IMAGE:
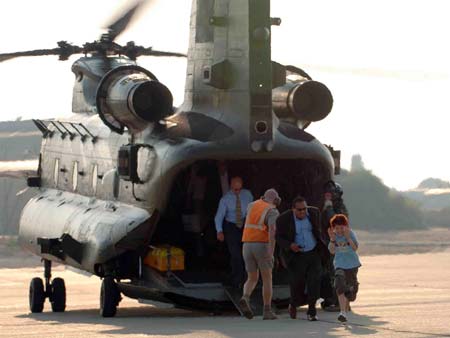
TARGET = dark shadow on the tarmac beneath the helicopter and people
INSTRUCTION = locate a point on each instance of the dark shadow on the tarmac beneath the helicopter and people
(169, 322)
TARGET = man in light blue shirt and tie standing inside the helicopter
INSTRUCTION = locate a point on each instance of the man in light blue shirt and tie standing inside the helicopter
(229, 220)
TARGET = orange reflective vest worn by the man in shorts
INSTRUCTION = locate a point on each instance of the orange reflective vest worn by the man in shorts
(255, 229)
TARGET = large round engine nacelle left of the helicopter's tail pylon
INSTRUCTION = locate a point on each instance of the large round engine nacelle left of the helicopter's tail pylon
(130, 96)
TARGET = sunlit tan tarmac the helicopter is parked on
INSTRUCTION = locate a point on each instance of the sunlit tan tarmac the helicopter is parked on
(400, 296)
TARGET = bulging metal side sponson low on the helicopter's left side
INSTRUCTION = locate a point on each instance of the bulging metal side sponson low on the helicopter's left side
(96, 224)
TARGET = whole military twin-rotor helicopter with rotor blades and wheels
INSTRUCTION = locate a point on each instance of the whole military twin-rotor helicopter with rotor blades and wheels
(112, 179)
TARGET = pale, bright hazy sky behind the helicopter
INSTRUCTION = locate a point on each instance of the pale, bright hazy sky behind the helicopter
(385, 61)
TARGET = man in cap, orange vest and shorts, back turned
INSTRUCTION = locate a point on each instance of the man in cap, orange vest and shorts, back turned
(259, 244)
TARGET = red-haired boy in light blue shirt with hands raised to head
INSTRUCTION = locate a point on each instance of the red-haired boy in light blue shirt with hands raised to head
(343, 245)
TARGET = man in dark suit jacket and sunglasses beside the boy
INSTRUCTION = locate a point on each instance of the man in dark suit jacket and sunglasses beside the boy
(299, 237)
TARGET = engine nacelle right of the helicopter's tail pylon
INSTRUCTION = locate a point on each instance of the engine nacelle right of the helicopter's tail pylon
(306, 101)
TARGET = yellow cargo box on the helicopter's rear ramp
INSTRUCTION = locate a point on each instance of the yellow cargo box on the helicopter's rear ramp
(165, 258)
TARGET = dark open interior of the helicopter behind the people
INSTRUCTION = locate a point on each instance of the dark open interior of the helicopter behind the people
(188, 221)
